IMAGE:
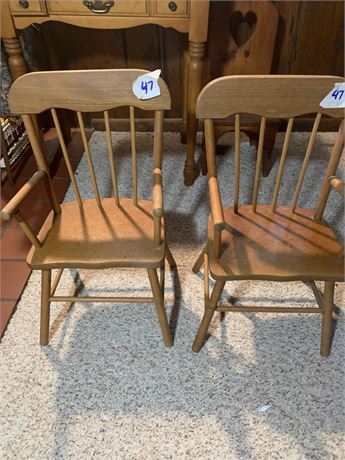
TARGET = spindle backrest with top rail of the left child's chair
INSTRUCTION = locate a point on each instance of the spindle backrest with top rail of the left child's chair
(87, 91)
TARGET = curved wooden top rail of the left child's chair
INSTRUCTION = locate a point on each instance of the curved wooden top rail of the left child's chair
(82, 90)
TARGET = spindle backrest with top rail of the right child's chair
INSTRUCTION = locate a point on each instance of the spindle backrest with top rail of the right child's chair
(270, 97)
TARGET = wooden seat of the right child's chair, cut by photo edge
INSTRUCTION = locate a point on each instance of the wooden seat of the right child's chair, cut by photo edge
(281, 245)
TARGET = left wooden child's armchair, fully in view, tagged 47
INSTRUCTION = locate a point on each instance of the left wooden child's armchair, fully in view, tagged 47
(101, 232)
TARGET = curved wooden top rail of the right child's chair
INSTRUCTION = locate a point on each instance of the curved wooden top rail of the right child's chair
(271, 96)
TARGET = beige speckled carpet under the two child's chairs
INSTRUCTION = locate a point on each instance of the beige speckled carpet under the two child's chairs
(107, 388)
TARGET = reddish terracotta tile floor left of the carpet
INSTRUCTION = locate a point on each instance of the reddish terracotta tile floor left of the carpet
(13, 243)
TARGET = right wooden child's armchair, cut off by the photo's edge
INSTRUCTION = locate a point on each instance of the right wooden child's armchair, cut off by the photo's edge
(270, 241)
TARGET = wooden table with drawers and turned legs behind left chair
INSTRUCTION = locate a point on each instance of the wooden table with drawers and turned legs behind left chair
(185, 16)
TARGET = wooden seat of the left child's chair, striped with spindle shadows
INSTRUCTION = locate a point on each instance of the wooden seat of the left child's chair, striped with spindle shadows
(98, 237)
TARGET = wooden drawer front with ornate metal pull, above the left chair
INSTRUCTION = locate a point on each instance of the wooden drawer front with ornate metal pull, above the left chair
(98, 7)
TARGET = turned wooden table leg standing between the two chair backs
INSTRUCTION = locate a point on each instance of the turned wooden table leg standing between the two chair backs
(196, 54)
